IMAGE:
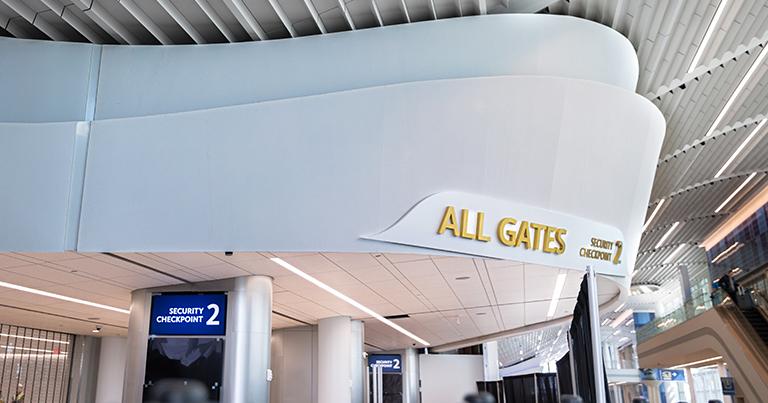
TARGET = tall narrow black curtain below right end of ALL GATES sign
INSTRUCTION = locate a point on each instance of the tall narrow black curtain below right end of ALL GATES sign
(581, 336)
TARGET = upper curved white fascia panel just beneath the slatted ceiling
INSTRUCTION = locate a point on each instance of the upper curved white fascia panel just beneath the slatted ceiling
(147, 80)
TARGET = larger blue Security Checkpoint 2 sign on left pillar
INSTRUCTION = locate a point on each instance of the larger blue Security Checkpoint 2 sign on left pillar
(188, 315)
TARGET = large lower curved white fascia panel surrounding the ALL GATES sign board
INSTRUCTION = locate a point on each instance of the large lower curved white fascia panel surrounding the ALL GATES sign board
(223, 179)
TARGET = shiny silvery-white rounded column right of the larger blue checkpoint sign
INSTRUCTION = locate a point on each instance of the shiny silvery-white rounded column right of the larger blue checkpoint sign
(249, 333)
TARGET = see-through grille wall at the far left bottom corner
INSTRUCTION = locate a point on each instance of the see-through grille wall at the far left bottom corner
(34, 365)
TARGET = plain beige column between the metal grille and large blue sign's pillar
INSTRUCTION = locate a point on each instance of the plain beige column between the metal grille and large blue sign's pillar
(112, 358)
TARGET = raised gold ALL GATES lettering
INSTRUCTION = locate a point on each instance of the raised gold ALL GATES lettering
(510, 232)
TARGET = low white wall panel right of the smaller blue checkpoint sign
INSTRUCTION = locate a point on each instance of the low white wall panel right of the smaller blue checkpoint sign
(447, 378)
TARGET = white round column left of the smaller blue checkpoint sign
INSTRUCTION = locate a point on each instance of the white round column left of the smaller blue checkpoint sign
(334, 381)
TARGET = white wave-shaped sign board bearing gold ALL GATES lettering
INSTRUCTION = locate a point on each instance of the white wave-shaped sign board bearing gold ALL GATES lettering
(485, 226)
